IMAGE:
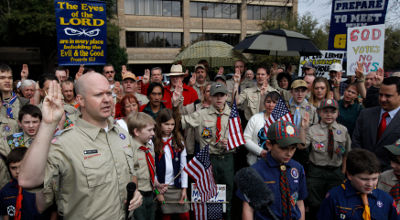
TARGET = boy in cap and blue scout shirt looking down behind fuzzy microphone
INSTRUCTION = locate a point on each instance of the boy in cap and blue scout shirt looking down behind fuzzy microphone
(283, 175)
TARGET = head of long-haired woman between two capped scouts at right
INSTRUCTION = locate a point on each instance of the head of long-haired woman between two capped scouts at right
(320, 90)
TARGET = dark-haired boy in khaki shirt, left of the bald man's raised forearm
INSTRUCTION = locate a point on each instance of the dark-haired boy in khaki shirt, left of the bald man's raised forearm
(29, 118)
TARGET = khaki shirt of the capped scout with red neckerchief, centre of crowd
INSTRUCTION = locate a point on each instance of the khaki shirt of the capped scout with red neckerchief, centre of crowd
(205, 123)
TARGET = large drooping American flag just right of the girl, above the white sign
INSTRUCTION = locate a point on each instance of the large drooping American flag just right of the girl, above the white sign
(200, 169)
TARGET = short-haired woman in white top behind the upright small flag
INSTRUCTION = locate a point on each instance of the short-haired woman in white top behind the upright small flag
(254, 133)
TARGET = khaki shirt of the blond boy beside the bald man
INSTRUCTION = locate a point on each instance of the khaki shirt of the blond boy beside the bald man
(141, 167)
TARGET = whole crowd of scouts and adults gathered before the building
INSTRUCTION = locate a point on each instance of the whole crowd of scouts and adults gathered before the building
(71, 144)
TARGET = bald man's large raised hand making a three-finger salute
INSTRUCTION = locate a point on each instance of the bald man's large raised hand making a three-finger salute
(53, 108)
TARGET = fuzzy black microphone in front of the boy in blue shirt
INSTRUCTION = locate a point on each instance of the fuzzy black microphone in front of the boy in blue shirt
(258, 194)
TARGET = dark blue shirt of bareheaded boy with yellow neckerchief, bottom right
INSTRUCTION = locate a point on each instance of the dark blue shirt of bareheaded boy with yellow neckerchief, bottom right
(344, 202)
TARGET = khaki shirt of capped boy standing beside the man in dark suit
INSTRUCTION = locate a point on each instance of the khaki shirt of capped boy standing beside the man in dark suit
(317, 139)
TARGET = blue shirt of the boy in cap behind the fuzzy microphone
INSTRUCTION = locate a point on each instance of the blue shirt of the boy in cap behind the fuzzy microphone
(270, 172)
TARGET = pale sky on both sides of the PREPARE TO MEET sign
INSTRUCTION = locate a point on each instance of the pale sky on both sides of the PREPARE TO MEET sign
(321, 10)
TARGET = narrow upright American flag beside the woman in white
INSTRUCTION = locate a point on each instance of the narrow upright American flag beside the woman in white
(235, 136)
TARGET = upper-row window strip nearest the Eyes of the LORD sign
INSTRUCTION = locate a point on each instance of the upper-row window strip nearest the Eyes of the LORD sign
(154, 7)
